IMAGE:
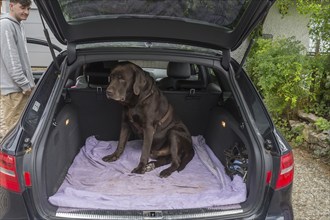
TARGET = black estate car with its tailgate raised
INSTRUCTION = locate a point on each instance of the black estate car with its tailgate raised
(51, 163)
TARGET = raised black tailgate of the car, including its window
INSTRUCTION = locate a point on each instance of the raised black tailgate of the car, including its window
(217, 24)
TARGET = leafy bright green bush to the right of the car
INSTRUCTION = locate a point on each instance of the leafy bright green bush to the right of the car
(281, 73)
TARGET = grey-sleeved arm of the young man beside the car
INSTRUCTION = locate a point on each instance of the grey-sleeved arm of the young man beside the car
(10, 55)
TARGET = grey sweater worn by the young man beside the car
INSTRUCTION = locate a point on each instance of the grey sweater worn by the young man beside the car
(15, 70)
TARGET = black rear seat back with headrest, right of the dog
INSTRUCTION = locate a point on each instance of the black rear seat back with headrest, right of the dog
(191, 96)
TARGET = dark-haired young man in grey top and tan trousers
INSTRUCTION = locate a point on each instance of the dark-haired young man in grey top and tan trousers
(16, 79)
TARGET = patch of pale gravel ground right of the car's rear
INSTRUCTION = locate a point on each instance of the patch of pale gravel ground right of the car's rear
(311, 187)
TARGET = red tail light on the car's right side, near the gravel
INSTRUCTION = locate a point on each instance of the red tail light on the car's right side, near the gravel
(286, 172)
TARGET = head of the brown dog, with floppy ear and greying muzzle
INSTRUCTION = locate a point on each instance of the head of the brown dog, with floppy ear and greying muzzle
(127, 79)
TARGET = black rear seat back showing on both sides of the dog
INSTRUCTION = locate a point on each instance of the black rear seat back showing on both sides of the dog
(101, 116)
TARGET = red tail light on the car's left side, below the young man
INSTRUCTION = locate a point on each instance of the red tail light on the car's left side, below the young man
(8, 174)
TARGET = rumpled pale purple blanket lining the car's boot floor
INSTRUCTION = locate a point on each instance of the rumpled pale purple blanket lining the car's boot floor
(93, 184)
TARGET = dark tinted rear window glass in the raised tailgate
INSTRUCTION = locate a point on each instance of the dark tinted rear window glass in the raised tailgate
(225, 13)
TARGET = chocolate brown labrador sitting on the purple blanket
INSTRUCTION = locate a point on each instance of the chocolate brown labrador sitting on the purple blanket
(148, 114)
